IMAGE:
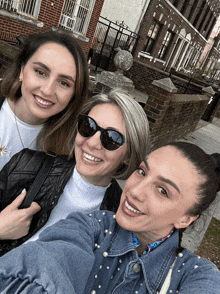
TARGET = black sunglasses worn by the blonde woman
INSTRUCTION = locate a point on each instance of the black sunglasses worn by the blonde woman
(110, 138)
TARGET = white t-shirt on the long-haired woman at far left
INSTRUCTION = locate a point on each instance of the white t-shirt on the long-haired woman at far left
(10, 142)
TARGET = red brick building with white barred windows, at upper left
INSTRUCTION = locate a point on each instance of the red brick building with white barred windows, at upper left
(29, 16)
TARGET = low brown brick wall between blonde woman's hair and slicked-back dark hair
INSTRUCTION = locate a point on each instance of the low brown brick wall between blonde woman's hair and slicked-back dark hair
(171, 116)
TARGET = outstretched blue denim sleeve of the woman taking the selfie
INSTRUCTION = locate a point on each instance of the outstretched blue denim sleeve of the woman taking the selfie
(60, 262)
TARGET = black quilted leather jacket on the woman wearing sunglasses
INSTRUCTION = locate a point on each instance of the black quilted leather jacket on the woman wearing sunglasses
(20, 172)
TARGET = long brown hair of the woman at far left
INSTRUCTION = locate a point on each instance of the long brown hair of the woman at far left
(55, 133)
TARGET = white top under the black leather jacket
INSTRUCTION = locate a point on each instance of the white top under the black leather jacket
(78, 195)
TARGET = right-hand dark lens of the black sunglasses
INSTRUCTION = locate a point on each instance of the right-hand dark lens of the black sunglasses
(111, 140)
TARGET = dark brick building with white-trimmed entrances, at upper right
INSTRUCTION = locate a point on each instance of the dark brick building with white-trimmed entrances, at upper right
(174, 33)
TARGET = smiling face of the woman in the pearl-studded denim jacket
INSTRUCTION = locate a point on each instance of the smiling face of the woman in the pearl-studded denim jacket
(156, 197)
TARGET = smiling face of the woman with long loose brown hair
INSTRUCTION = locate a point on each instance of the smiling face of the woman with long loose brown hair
(48, 83)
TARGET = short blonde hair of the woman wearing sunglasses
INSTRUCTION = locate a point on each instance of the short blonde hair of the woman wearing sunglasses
(136, 125)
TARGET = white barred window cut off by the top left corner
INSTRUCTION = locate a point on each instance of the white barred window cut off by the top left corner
(25, 7)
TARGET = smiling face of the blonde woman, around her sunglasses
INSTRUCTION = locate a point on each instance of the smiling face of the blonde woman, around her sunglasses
(96, 164)
